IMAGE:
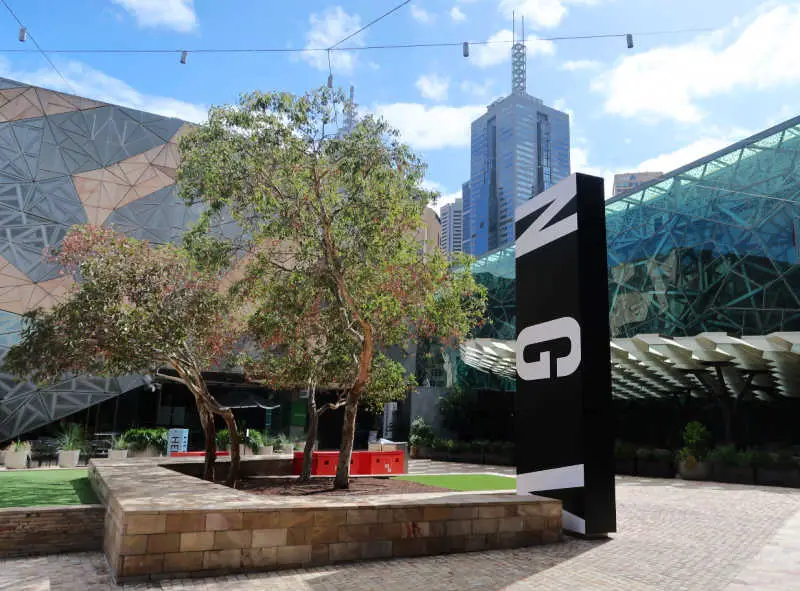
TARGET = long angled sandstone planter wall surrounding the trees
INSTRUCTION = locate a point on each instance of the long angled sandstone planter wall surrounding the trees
(161, 523)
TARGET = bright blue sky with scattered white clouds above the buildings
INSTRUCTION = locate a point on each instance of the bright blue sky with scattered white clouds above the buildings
(671, 99)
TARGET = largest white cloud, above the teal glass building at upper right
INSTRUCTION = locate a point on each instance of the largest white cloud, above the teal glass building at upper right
(669, 82)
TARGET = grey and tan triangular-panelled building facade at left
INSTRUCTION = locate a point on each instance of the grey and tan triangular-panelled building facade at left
(66, 160)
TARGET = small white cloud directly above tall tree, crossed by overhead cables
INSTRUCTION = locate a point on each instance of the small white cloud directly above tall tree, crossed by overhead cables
(328, 28)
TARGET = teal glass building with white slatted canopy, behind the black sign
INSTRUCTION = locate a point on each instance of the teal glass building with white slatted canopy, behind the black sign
(704, 278)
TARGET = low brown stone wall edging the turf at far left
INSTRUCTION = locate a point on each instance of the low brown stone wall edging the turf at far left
(51, 530)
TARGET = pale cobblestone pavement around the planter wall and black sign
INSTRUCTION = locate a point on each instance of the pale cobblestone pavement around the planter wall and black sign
(673, 535)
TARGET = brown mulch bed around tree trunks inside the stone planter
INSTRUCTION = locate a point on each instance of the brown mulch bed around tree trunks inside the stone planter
(324, 486)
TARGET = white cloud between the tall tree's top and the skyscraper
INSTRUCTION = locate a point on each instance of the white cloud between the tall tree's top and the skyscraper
(430, 128)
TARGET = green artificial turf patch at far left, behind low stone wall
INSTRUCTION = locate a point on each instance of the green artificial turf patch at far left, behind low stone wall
(29, 488)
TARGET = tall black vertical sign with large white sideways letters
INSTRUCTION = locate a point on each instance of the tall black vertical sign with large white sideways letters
(563, 399)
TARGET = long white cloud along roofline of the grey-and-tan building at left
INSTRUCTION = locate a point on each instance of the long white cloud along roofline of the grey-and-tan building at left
(86, 81)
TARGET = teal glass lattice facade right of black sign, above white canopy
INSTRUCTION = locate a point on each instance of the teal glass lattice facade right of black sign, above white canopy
(712, 246)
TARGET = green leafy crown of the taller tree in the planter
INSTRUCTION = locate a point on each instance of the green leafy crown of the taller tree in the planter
(334, 271)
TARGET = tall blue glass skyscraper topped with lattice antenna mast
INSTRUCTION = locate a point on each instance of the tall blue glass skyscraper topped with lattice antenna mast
(519, 148)
